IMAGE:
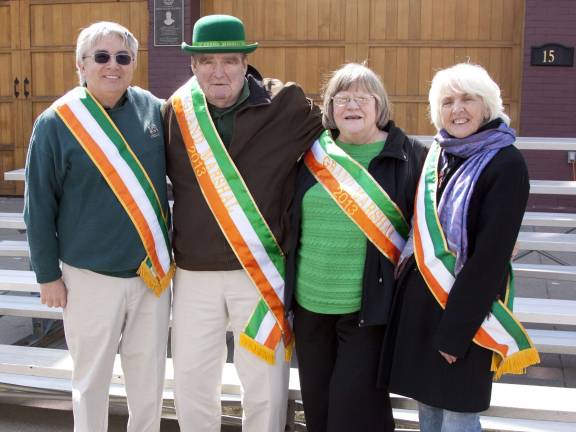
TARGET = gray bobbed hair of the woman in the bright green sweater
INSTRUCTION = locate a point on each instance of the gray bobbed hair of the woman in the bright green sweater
(355, 74)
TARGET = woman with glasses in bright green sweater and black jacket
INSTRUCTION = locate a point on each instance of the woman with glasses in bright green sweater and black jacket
(351, 217)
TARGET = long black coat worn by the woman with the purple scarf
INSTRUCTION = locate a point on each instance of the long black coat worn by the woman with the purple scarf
(411, 364)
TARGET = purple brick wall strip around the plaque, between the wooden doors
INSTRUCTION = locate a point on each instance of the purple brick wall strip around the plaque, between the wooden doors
(169, 67)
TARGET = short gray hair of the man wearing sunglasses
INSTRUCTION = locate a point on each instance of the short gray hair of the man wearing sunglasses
(94, 33)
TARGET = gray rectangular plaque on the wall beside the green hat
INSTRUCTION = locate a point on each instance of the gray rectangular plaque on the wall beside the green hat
(168, 22)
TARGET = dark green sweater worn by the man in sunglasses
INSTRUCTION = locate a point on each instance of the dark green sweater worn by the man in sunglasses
(70, 211)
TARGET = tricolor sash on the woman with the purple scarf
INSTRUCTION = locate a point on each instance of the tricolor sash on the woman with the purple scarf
(500, 332)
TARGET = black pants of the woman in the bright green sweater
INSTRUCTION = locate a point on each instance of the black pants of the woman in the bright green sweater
(338, 364)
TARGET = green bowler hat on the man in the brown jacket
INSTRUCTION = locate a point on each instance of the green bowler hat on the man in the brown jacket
(218, 34)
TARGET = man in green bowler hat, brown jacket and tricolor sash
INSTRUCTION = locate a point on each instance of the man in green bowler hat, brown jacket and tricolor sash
(232, 152)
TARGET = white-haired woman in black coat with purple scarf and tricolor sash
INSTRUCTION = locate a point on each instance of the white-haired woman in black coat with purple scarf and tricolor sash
(452, 329)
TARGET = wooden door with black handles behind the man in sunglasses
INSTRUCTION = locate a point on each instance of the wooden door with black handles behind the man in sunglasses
(45, 57)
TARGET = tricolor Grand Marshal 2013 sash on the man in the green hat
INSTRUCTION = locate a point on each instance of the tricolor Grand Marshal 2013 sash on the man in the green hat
(239, 219)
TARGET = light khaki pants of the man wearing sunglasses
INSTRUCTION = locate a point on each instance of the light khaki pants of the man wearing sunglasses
(103, 315)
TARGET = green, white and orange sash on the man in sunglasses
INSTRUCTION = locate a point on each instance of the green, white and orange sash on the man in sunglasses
(105, 145)
